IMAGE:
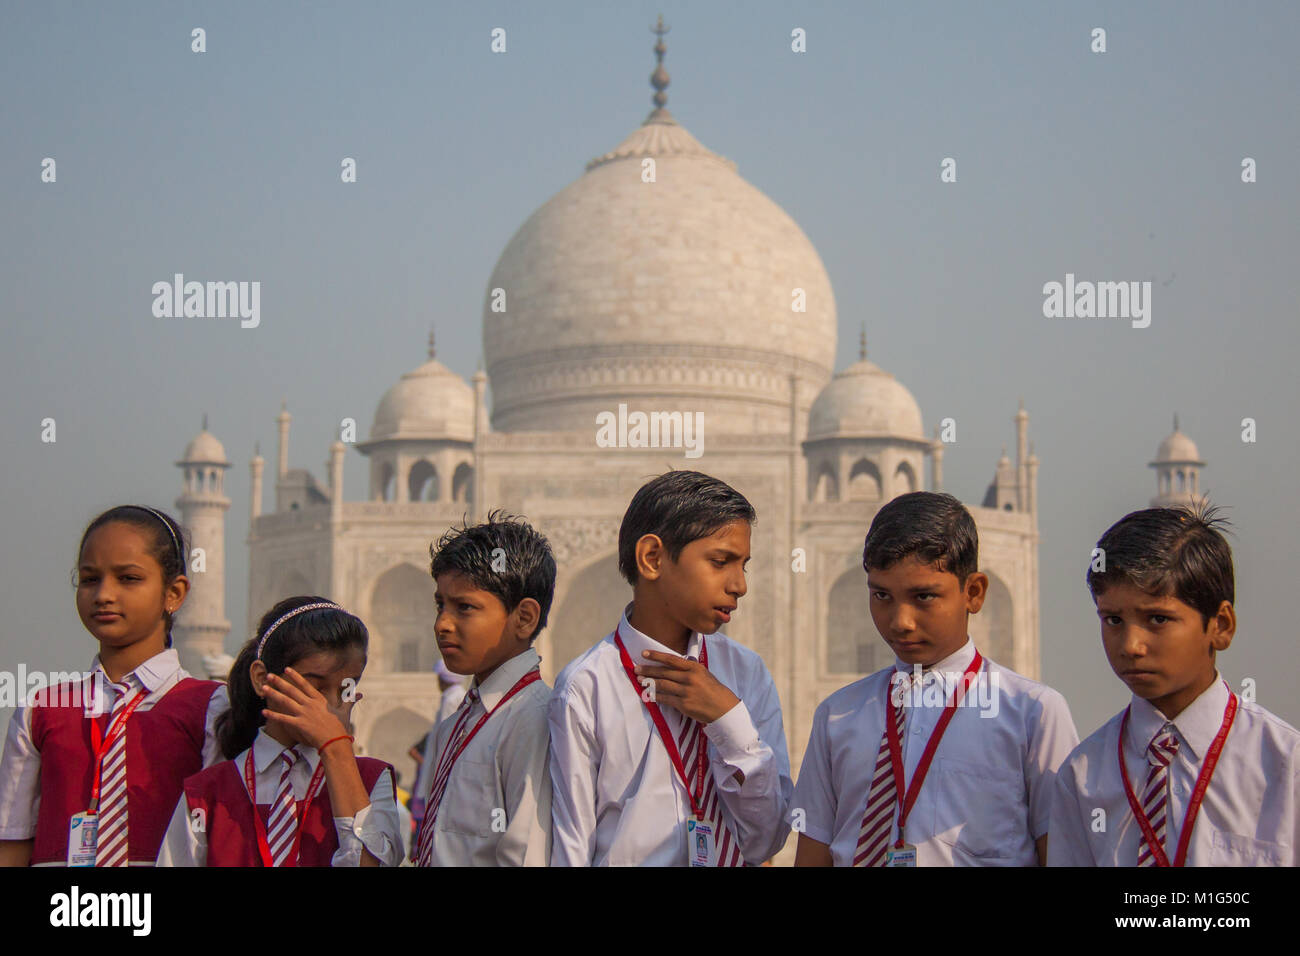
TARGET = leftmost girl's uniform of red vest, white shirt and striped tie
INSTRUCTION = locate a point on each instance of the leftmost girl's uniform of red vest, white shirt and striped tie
(49, 764)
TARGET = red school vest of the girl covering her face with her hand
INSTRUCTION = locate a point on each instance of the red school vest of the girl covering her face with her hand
(222, 794)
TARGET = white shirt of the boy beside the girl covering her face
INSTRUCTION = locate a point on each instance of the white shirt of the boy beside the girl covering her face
(497, 807)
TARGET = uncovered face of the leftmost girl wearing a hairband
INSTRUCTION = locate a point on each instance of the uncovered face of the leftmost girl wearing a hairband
(120, 591)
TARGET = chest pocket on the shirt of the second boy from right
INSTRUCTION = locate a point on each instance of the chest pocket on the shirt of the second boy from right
(981, 811)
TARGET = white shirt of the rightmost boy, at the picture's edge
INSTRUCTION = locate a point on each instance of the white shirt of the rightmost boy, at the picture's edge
(1250, 815)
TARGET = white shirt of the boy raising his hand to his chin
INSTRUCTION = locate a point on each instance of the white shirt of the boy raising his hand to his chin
(618, 799)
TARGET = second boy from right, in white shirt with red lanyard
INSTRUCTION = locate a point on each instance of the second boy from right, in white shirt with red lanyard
(944, 759)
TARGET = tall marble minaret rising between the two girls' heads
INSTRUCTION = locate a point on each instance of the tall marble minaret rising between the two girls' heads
(201, 626)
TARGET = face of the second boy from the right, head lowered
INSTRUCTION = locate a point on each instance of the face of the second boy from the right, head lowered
(922, 612)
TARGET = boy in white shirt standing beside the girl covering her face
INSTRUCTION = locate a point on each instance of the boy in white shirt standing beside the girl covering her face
(489, 797)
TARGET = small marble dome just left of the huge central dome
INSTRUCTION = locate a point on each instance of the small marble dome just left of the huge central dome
(428, 403)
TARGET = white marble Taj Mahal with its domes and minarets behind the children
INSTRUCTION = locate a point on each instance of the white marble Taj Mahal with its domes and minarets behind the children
(662, 282)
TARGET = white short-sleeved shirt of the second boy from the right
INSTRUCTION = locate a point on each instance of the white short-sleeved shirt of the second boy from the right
(987, 795)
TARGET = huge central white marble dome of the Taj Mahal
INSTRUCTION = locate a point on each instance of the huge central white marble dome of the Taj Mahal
(674, 295)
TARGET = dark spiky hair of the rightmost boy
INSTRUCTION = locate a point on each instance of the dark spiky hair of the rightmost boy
(1169, 551)
